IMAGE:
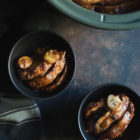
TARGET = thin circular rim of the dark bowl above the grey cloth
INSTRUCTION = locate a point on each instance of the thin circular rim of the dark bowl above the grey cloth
(9, 65)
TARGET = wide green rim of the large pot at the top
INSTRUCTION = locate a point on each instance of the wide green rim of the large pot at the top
(96, 19)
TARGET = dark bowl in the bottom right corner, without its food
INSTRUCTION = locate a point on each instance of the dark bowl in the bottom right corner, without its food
(132, 132)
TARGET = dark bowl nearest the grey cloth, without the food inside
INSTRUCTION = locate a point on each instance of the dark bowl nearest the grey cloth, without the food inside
(26, 46)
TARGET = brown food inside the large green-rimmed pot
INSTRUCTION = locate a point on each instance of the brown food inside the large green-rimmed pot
(110, 6)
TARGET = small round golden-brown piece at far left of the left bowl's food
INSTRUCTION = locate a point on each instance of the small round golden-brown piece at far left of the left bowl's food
(25, 62)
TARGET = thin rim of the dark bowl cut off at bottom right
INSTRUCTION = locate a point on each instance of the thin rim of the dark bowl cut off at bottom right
(92, 92)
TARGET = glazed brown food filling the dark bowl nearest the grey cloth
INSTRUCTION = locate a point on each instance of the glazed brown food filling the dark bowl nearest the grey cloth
(45, 70)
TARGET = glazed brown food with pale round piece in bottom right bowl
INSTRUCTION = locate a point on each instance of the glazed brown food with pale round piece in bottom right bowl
(109, 118)
